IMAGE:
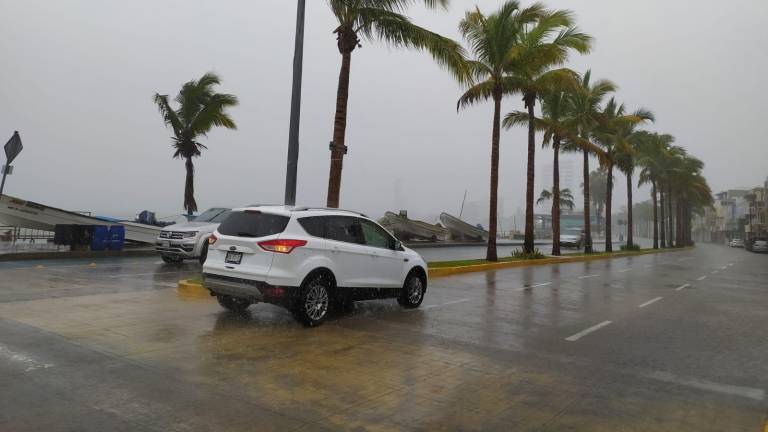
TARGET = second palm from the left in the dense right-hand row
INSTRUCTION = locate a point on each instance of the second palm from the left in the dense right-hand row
(544, 45)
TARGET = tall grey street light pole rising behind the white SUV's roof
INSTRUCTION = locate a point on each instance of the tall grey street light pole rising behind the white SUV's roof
(293, 134)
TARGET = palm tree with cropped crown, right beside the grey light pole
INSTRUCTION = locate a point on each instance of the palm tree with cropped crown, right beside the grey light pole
(379, 20)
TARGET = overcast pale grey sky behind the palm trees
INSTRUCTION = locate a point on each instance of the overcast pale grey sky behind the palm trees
(78, 75)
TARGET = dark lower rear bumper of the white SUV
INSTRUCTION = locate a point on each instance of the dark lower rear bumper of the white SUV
(255, 291)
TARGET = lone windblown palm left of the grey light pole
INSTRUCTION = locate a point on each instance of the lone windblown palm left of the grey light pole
(200, 109)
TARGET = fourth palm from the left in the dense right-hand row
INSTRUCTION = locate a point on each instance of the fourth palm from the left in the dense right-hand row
(586, 113)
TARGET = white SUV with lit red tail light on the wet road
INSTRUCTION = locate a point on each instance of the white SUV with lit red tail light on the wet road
(309, 261)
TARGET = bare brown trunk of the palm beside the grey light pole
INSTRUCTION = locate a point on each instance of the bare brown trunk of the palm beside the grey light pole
(339, 131)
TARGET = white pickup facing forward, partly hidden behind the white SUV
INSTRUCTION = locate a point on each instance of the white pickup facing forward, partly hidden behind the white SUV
(189, 240)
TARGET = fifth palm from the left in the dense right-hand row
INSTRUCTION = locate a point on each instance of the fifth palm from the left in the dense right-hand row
(612, 134)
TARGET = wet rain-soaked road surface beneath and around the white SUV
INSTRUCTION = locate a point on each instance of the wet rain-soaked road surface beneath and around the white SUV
(668, 342)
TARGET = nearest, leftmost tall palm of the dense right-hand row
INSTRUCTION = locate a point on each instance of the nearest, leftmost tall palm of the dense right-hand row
(494, 42)
